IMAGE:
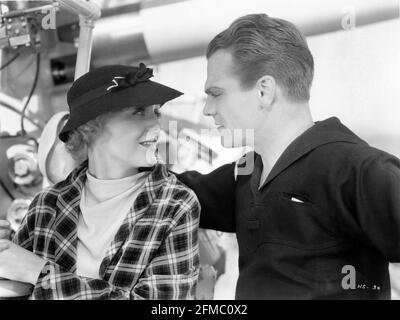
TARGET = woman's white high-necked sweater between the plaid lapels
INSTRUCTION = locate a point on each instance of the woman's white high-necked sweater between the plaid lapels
(104, 206)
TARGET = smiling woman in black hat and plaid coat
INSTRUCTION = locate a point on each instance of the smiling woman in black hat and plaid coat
(110, 230)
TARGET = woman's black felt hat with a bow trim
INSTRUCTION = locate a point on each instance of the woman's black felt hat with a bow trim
(112, 88)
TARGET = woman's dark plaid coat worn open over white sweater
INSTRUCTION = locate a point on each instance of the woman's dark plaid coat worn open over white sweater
(154, 254)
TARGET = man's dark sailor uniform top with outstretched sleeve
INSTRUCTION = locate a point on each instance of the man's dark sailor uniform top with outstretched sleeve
(324, 225)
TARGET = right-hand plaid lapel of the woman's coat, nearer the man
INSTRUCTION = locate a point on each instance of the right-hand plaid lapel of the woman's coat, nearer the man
(151, 189)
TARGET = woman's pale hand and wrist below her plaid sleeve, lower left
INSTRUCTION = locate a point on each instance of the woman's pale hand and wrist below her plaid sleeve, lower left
(19, 264)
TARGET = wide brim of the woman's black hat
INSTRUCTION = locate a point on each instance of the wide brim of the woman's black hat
(140, 95)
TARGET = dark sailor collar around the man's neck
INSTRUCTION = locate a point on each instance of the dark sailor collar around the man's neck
(321, 133)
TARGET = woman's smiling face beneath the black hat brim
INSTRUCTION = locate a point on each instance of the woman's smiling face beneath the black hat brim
(130, 137)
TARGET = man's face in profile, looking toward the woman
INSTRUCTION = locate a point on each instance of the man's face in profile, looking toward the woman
(233, 108)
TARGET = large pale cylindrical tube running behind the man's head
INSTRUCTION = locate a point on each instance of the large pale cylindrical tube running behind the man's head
(183, 29)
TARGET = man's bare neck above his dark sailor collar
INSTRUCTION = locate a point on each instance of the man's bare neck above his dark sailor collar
(273, 143)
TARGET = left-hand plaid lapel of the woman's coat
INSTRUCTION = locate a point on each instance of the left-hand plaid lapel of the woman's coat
(65, 228)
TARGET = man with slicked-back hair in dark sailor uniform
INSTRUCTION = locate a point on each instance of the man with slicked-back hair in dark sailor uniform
(319, 216)
